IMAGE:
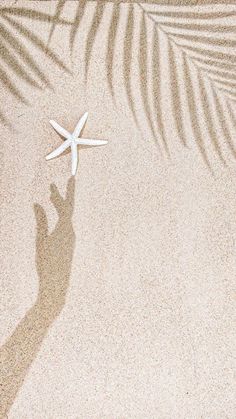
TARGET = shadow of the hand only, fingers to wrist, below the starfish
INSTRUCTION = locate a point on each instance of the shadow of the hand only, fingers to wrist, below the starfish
(54, 251)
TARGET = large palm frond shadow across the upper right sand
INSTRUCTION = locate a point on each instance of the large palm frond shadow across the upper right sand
(200, 64)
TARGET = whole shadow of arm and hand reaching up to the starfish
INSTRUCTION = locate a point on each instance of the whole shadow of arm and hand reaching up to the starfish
(54, 253)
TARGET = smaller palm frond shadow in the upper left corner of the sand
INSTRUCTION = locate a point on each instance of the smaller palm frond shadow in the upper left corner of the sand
(17, 60)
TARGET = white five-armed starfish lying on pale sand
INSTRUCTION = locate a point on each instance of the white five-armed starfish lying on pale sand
(72, 140)
